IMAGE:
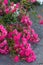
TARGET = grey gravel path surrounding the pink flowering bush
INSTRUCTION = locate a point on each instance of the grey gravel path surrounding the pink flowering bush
(6, 60)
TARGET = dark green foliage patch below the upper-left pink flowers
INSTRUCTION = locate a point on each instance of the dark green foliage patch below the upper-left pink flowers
(9, 18)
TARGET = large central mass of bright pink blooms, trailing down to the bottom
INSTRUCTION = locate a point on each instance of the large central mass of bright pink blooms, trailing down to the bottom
(21, 39)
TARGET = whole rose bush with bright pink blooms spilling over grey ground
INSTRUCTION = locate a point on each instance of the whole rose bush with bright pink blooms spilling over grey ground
(16, 38)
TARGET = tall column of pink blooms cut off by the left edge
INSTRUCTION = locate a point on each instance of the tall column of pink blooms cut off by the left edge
(3, 42)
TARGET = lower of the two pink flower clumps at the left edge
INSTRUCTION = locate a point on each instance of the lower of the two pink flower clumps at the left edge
(4, 47)
